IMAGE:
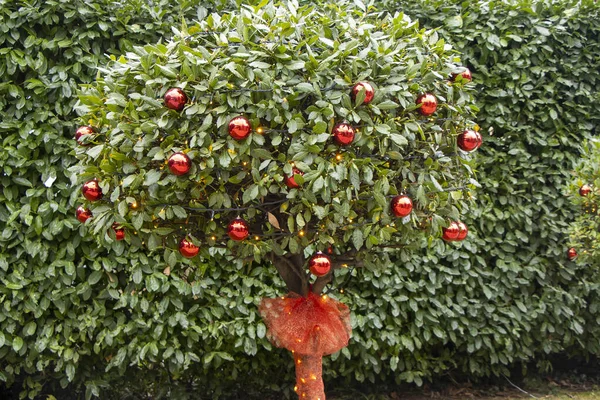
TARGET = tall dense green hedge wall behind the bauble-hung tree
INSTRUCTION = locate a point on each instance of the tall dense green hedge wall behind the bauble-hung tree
(507, 295)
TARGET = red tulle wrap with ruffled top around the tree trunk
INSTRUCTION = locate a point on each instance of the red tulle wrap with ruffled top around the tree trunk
(310, 327)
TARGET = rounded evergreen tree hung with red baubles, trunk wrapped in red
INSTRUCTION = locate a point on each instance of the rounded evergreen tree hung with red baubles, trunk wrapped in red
(317, 139)
